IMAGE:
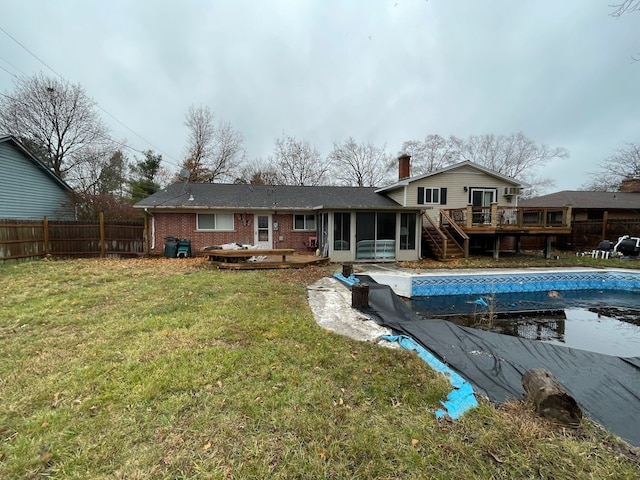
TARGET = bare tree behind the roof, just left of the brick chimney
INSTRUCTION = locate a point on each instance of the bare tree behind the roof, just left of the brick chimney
(359, 164)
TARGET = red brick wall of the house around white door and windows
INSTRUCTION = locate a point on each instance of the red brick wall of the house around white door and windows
(183, 225)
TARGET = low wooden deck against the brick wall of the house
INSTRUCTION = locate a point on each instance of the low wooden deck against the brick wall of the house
(268, 259)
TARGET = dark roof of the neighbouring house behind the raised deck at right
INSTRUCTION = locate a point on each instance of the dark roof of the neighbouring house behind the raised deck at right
(583, 199)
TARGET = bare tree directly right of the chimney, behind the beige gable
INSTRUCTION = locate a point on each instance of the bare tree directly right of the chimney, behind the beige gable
(433, 153)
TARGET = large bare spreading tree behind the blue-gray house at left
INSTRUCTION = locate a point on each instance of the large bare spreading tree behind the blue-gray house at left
(58, 121)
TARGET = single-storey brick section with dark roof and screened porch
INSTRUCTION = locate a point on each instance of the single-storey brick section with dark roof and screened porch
(343, 223)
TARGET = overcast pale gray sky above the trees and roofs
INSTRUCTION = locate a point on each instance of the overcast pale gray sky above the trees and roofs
(324, 70)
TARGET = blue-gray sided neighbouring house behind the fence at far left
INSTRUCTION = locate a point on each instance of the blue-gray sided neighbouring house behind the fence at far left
(28, 189)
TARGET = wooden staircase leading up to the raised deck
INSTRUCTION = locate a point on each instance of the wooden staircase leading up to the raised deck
(439, 242)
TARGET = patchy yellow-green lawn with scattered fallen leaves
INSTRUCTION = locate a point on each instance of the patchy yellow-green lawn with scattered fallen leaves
(162, 368)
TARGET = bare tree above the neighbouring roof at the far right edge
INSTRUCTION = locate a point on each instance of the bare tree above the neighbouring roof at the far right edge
(623, 164)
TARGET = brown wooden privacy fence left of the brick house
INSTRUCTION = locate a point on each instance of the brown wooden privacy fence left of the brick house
(20, 239)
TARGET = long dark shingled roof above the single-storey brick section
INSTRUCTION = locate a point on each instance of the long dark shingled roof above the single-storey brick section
(281, 197)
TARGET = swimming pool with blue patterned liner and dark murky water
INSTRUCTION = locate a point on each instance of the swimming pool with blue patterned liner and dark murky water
(571, 307)
